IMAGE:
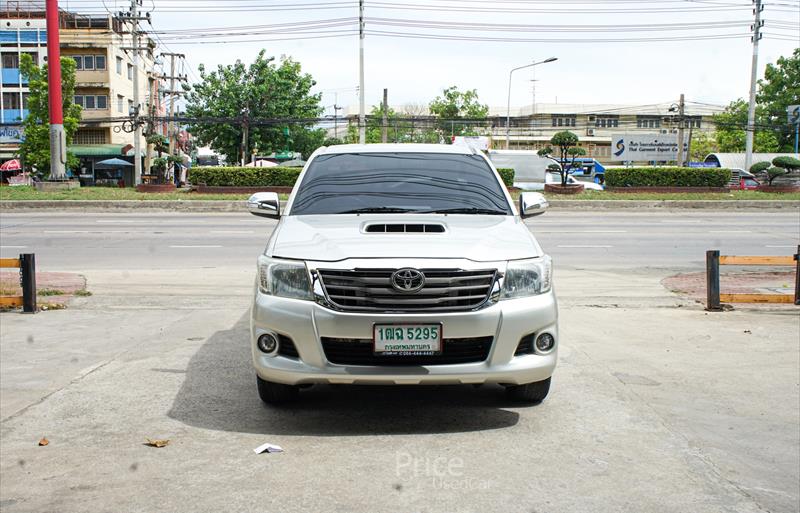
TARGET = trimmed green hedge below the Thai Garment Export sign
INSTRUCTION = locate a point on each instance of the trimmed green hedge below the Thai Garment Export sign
(667, 177)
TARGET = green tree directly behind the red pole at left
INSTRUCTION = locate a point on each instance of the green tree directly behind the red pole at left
(35, 148)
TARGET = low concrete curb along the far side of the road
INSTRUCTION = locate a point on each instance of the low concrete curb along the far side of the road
(239, 206)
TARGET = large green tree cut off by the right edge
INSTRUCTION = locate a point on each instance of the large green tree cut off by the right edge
(780, 88)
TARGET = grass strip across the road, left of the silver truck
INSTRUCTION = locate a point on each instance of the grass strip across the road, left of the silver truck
(26, 193)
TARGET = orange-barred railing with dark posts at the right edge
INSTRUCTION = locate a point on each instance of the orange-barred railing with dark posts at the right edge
(713, 296)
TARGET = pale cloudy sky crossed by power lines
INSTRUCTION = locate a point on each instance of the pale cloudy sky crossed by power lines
(590, 67)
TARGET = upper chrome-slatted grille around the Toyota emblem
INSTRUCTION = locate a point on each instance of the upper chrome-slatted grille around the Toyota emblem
(371, 290)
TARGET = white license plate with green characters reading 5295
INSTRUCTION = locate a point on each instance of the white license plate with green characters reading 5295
(407, 339)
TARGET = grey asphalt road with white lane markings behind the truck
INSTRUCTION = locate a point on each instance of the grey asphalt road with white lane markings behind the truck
(576, 240)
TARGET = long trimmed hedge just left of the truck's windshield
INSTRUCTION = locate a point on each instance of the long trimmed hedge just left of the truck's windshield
(244, 176)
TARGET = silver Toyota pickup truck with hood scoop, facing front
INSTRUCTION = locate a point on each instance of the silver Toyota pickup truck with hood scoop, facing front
(402, 264)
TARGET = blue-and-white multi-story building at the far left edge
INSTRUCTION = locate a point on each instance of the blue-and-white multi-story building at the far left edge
(18, 36)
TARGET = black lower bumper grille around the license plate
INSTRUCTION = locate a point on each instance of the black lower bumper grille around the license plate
(356, 351)
